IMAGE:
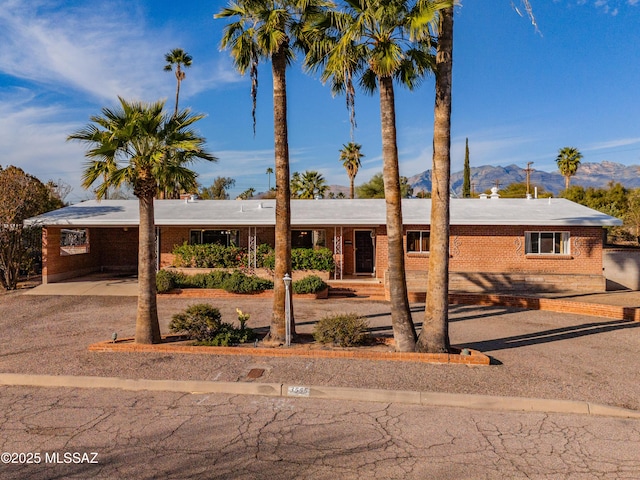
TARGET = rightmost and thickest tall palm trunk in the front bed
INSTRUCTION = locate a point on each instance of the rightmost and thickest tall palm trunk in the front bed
(434, 337)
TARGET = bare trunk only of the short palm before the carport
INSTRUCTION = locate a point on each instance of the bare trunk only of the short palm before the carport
(147, 326)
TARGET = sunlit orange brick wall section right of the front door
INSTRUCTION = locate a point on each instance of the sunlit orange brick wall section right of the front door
(493, 258)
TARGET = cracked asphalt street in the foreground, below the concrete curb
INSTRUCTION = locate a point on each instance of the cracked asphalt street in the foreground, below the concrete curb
(149, 435)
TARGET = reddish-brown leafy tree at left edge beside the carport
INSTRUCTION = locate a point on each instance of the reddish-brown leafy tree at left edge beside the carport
(21, 196)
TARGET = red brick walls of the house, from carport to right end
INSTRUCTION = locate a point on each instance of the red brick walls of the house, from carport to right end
(478, 253)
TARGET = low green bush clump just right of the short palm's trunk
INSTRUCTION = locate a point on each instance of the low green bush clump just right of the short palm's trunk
(203, 323)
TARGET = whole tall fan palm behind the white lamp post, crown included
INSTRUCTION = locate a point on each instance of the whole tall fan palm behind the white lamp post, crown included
(268, 30)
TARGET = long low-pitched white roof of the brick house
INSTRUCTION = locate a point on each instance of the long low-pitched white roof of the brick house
(555, 212)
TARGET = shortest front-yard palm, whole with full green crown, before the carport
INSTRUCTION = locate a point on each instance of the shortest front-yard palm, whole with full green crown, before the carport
(128, 145)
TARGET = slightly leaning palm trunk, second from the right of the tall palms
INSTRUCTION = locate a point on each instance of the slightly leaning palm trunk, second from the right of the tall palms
(403, 329)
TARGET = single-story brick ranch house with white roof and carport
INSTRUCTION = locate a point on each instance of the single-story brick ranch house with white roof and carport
(495, 244)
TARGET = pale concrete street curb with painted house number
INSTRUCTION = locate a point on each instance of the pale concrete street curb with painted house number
(436, 399)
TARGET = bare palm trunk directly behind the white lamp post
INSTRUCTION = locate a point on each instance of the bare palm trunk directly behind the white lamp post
(283, 200)
